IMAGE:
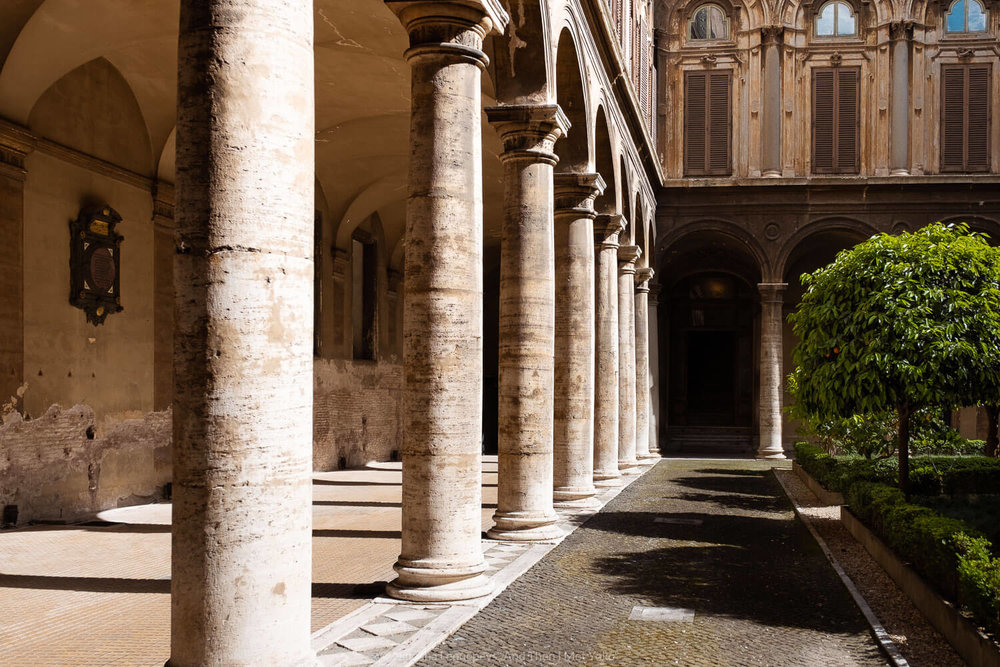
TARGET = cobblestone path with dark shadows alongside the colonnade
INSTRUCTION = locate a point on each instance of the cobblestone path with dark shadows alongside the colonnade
(716, 539)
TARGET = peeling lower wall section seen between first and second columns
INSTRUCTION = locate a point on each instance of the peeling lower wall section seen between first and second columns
(357, 412)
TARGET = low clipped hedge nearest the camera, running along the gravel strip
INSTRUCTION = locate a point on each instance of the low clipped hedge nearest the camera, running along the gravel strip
(946, 552)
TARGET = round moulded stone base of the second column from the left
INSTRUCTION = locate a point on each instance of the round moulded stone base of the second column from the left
(438, 584)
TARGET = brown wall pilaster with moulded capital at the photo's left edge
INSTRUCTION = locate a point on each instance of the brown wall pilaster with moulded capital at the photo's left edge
(15, 145)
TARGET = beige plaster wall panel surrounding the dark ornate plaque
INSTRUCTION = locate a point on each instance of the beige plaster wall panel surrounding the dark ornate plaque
(66, 359)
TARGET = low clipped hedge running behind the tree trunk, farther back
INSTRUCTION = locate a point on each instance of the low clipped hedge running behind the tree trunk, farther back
(929, 475)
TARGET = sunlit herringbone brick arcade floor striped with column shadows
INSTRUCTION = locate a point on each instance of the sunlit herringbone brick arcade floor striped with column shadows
(100, 594)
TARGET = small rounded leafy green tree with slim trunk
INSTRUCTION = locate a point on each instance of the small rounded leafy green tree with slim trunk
(900, 323)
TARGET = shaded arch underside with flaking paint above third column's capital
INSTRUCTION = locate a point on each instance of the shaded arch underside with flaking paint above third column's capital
(522, 69)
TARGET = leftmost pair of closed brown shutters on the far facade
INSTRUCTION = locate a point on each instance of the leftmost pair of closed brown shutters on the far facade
(707, 123)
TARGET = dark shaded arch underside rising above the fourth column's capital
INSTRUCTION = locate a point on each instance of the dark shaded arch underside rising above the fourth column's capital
(571, 94)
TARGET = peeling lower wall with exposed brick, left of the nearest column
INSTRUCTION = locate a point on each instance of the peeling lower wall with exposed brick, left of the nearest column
(61, 467)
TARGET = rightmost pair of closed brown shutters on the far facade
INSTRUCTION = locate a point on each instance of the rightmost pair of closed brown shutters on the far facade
(965, 117)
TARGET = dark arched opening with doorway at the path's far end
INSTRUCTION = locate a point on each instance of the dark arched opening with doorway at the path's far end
(709, 333)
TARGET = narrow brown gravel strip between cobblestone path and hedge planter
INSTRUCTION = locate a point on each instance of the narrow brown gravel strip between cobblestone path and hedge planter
(916, 639)
